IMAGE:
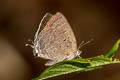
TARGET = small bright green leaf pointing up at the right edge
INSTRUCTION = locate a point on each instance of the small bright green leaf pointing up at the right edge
(112, 52)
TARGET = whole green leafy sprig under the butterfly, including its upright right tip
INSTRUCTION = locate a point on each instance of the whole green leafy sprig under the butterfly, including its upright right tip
(80, 65)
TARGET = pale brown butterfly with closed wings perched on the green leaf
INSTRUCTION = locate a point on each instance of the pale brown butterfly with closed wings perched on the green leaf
(56, 42)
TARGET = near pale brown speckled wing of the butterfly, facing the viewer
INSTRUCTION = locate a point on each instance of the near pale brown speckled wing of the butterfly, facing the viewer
(56, 41)
